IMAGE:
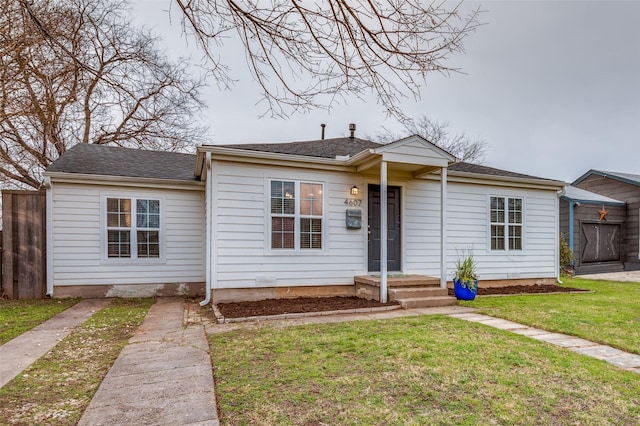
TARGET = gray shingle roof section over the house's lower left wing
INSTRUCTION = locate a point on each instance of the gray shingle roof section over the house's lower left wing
(116, 161)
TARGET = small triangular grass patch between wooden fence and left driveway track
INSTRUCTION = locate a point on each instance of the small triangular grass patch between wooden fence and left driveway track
(18, 316)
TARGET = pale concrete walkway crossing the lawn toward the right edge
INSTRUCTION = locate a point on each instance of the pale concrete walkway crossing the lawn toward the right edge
(621, 359)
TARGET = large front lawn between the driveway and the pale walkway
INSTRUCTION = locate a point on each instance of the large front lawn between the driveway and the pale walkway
(417, 370)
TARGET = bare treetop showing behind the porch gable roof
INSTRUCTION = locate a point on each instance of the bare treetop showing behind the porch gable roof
(437, 132)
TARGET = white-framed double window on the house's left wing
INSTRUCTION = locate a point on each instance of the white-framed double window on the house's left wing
(127, 238)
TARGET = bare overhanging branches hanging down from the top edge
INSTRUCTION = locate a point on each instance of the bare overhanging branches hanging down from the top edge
(308, 54)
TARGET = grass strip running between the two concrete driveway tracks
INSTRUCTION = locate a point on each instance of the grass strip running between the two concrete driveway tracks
(58, 387)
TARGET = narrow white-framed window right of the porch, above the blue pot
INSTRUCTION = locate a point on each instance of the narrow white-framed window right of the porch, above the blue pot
(506, 223)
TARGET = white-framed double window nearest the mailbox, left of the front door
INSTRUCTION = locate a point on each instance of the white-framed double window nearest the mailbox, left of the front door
(296, 215)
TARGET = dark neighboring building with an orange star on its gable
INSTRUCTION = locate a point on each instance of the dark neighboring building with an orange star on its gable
(599, 213)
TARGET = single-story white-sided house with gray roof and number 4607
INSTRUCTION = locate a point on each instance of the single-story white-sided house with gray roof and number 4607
(280, 220)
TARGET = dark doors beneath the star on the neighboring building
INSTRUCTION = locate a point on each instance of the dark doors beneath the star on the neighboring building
(601, 242)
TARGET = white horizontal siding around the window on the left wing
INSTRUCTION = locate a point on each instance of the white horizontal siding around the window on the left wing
(80, 233)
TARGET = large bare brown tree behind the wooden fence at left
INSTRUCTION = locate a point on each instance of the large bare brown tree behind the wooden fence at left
(78, 71)
